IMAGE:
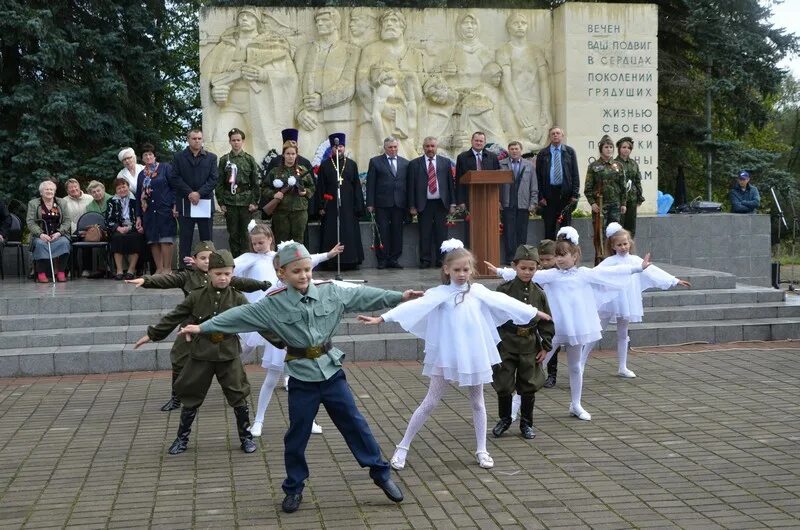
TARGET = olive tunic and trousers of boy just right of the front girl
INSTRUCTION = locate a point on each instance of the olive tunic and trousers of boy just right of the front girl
(519, 344)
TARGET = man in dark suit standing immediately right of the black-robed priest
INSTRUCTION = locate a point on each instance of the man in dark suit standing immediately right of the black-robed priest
(387, 199)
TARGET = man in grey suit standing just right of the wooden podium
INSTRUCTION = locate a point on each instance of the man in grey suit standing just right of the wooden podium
(517, 199)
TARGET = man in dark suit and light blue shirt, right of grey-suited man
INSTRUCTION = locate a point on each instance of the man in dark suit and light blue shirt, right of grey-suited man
(559, 182)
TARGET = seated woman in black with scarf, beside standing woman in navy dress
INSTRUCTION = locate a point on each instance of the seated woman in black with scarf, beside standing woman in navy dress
(125, 238)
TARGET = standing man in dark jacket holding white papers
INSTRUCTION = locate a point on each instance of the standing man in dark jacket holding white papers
(194, 176)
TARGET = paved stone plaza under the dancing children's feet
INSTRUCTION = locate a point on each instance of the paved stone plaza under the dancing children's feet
(704, 438)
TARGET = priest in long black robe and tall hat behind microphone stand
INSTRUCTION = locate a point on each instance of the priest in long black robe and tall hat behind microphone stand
(352, 206)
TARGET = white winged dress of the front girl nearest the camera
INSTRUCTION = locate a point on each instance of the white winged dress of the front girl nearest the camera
(459, 328)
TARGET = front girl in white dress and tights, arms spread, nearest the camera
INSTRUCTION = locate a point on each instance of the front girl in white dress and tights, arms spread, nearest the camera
(458, 322)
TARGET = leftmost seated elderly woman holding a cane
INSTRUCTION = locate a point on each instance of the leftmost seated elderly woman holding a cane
(49, 226)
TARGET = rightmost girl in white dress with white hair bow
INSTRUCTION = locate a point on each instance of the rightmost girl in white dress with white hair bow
(627, 306)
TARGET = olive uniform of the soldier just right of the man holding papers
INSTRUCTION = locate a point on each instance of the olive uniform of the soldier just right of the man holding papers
(237, 212)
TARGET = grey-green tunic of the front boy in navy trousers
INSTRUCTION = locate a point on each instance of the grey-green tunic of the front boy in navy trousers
(304, 321)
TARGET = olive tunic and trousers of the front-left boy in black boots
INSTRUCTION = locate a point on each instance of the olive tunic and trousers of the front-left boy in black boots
(215, 354)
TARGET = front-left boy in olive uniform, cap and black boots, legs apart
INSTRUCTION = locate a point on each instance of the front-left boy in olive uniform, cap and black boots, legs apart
(209, 355)
